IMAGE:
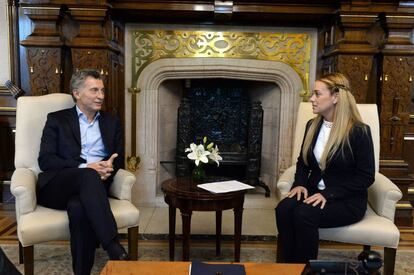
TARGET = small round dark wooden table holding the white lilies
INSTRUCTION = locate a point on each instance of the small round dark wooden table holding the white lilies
(181, 193)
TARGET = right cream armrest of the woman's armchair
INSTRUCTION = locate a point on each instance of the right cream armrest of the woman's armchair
(383, 196)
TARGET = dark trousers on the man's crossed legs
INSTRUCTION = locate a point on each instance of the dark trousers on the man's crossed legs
(85, 197)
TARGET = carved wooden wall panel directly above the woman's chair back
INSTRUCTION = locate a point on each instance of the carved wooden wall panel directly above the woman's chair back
(358, 69)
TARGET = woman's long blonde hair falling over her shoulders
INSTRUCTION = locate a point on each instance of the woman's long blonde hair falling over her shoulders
(345, 116)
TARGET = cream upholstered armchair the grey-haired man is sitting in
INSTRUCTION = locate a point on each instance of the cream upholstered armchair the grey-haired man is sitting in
(37, 224)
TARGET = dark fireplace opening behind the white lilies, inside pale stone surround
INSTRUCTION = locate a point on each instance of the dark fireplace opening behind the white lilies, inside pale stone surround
(222, 111)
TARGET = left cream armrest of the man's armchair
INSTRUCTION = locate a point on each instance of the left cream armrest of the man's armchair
(23, 188)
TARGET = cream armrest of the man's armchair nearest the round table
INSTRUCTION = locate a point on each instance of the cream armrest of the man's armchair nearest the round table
(122, 185)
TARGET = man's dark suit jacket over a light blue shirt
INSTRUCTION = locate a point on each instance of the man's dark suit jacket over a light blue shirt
(60, 146)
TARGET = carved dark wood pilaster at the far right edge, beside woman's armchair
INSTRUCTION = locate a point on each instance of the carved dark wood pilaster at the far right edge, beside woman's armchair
(394, 118)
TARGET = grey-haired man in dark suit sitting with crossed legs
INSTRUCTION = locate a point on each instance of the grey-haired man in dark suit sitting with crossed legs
(81, 149)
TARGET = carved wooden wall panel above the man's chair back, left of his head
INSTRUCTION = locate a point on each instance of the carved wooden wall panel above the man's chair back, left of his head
(44, 70)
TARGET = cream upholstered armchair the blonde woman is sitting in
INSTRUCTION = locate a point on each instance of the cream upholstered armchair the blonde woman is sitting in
(377, 228)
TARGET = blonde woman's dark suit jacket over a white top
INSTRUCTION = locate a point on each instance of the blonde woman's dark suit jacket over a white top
(347, 176)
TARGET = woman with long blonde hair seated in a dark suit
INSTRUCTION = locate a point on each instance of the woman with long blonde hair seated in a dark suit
(333, 172)
